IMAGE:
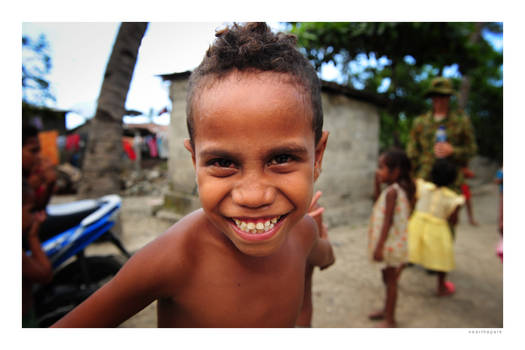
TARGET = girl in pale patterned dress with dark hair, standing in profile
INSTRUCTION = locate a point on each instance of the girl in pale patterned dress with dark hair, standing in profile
(387, 234)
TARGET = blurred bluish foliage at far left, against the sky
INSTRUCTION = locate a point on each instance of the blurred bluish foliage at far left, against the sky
(36, 65)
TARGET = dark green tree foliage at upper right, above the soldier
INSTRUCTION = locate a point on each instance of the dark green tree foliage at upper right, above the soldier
(398, 60)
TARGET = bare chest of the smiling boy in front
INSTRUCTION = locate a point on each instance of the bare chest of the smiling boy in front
(222, 295)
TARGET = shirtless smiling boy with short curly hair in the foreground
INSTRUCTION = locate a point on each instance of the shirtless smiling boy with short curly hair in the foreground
(256, 141)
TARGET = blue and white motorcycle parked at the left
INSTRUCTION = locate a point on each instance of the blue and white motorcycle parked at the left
(69, 228)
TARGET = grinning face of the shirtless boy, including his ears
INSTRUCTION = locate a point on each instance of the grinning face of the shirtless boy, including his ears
(255, 158)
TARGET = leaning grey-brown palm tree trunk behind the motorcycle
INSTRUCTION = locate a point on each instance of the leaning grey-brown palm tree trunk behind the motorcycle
(102, 162)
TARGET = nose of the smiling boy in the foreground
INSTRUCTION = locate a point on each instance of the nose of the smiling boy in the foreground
(253, 193)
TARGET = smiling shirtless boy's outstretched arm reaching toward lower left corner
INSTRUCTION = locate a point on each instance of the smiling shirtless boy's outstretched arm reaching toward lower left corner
(140, 281)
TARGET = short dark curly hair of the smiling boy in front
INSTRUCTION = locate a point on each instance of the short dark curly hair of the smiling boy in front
(253, 46)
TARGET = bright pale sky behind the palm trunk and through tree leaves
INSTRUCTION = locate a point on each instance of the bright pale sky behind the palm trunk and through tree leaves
(80, 51)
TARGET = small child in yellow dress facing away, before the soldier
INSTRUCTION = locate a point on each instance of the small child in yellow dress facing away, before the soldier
(430, 239)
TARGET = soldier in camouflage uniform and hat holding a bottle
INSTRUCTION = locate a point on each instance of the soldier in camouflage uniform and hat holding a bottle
(460, 146)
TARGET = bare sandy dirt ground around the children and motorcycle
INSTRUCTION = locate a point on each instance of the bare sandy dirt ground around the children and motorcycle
(348, 291)
